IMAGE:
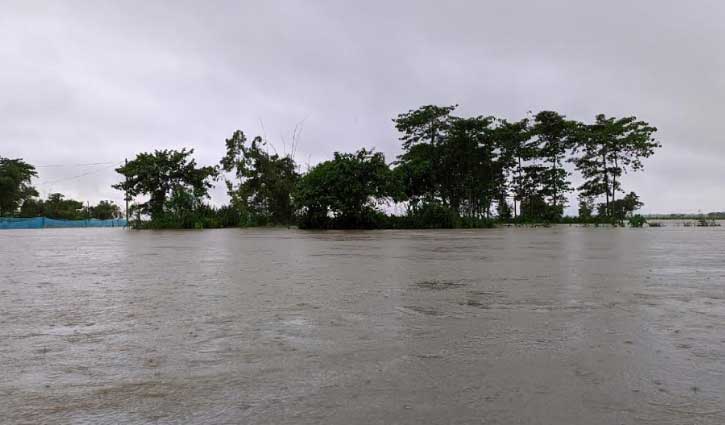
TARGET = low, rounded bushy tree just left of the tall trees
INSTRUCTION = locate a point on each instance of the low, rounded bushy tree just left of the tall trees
(345, 191)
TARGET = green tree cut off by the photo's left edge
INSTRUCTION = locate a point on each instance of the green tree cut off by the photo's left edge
(15, 184)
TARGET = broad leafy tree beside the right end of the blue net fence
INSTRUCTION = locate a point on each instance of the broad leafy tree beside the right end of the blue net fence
(174, 184)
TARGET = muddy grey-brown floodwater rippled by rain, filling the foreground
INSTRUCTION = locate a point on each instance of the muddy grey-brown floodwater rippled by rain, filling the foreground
(561, 325)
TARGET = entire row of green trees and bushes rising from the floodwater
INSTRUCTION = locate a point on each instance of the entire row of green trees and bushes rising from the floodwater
(452, 172)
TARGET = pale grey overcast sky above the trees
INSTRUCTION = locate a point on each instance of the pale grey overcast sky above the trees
(96, 82)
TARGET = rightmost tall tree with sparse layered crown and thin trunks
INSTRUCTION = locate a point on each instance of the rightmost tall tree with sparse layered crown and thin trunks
(609, 148)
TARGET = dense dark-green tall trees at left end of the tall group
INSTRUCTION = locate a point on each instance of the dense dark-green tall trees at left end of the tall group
(452, 160)
